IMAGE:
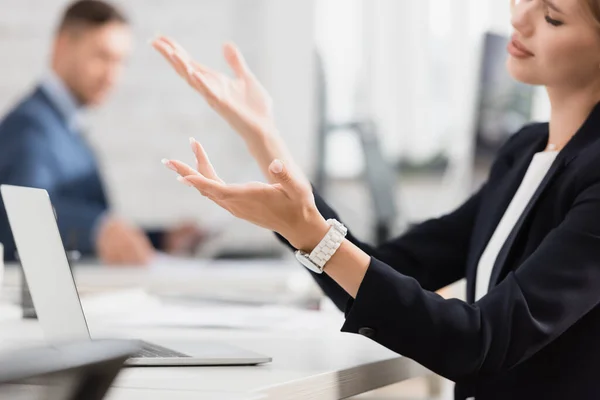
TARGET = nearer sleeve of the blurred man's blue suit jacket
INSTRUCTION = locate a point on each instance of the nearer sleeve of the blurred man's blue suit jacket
(31, 166)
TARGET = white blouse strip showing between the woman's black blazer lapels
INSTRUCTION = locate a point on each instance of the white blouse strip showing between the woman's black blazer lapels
(540, 164)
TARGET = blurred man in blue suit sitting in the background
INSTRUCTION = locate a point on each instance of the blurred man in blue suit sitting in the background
(41, 143)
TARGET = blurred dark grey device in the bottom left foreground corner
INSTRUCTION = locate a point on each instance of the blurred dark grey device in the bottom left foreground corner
(72, 371)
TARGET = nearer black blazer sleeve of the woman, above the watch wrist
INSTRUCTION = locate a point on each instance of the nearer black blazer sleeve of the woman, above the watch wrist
(555, 287)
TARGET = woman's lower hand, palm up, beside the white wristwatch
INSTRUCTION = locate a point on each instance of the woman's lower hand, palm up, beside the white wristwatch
(286, 206)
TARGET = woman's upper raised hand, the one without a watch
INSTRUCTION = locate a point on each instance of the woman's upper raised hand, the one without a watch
(241, 101)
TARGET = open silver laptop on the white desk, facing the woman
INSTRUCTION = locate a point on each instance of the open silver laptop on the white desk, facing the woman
(55, 297)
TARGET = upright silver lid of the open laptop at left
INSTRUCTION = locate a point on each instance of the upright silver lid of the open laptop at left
(45, 263)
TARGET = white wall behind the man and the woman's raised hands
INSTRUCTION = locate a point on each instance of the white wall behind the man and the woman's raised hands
(152, 114)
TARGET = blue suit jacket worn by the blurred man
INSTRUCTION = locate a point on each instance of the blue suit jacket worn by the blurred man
(38, 149)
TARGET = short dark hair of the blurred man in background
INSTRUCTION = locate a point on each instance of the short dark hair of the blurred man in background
(90, 14)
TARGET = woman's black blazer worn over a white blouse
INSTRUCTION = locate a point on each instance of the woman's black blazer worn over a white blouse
(536, 334)
